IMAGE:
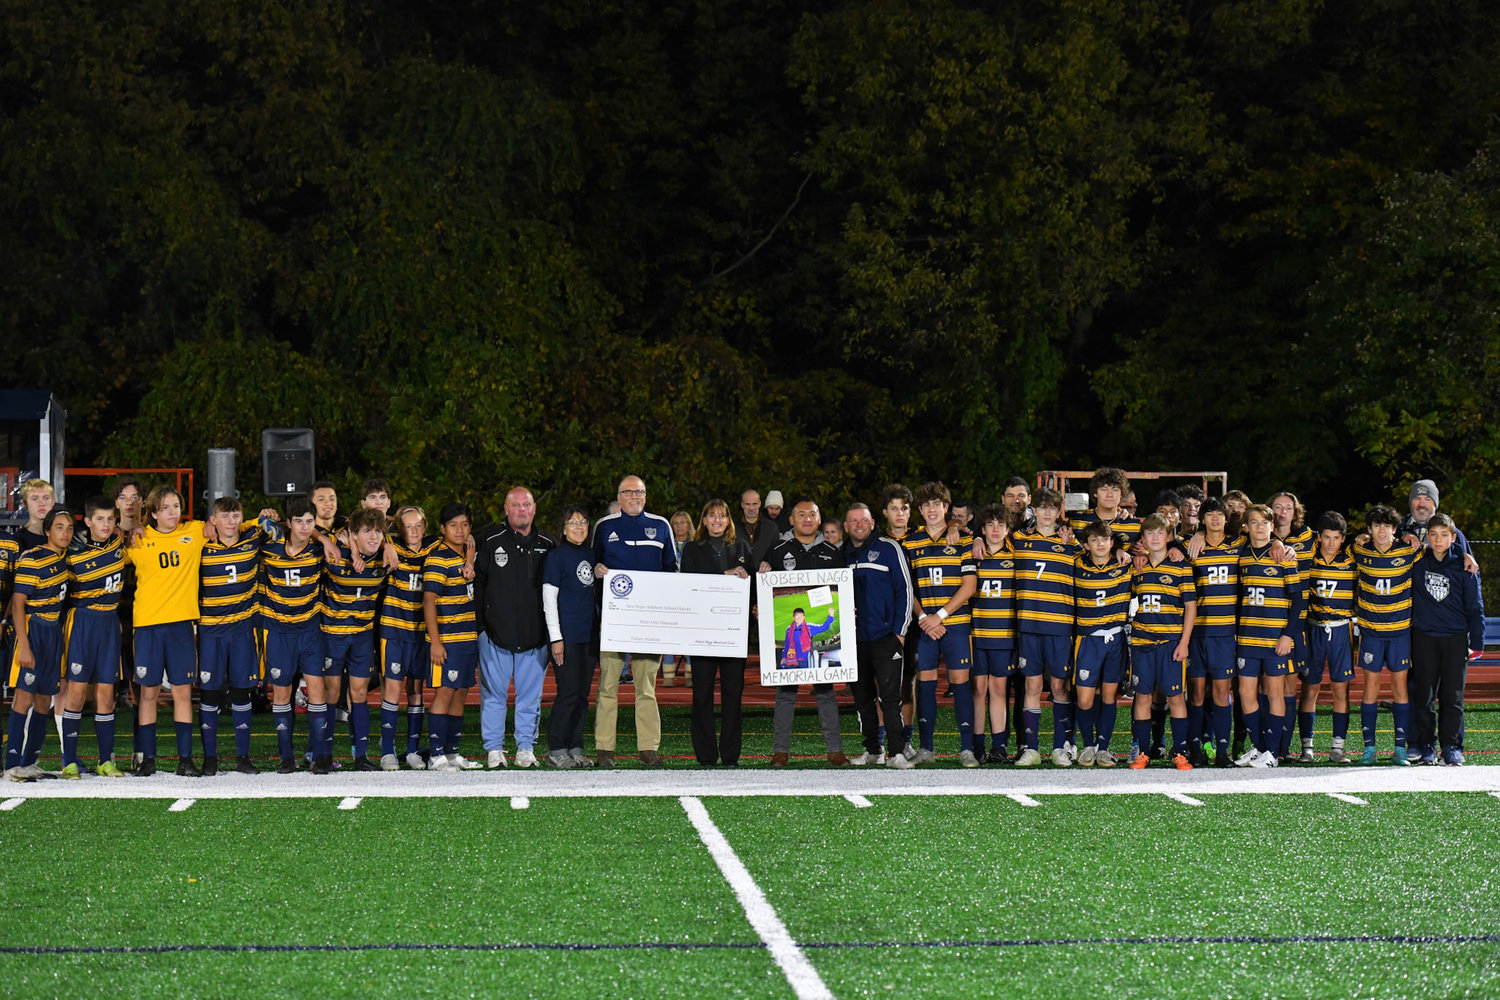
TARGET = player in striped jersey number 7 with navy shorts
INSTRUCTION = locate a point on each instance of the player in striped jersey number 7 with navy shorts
(1045, 620)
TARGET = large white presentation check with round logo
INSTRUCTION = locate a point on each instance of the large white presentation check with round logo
(692, 614)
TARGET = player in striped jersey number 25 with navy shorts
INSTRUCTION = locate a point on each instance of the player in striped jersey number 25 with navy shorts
(1162, 633)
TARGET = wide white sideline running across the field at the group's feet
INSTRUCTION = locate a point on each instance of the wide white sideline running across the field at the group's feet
(751, 782)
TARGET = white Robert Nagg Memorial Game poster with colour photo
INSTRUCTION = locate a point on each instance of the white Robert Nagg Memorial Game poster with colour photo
(808, 632)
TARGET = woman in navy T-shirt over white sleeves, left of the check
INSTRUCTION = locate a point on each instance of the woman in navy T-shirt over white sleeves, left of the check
(569, 603)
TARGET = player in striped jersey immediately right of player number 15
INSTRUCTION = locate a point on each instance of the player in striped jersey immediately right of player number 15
(350, 600)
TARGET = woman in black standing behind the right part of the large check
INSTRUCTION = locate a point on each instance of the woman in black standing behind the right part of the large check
(716, 549)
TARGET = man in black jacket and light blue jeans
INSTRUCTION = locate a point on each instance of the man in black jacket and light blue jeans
(512, 627)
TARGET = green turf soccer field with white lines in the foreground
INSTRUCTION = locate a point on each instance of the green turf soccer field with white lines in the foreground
(1310, 882)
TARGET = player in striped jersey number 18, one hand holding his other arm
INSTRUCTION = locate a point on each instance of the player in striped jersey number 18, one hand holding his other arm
(944, 579)
